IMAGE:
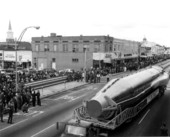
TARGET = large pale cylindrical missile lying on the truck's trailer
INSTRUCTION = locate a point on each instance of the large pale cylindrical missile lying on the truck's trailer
(125, 92)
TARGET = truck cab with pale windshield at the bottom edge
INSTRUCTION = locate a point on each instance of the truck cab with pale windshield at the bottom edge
(78, 128)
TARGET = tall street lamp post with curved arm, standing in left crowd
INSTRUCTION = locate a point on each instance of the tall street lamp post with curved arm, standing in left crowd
(16, 44)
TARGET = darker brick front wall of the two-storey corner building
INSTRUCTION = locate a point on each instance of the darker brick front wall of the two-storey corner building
(60, 52)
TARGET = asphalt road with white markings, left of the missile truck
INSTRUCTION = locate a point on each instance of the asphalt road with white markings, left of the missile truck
(41, 120)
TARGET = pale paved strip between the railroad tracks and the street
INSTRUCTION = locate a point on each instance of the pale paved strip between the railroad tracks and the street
(45, 92)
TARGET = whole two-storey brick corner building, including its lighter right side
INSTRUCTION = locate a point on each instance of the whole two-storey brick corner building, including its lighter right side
(63, 52)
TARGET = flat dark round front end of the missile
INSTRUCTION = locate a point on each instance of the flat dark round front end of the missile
(94, 109)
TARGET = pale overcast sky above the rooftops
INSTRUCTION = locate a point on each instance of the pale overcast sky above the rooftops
(125, 19)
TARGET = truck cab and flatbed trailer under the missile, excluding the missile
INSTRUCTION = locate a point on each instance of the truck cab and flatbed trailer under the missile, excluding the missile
(85, 126)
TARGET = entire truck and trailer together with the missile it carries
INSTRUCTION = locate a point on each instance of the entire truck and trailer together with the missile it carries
(116, 103)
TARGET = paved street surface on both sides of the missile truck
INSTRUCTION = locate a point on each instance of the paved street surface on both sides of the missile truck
(40, 121)
